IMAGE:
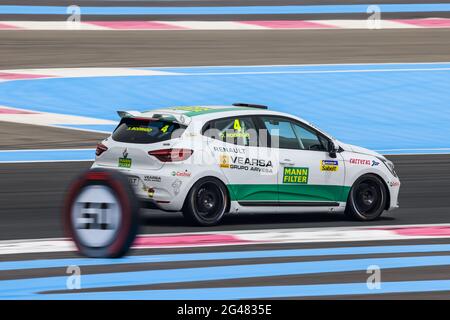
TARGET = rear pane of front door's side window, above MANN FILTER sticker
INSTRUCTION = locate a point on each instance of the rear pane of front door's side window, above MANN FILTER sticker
(282, 133)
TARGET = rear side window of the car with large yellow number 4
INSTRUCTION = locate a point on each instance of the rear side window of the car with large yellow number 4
(237, 130)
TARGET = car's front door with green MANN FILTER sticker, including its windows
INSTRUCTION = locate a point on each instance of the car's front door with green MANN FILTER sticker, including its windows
(307, 175)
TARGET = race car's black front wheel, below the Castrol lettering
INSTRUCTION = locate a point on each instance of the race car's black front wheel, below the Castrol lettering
(367, 198)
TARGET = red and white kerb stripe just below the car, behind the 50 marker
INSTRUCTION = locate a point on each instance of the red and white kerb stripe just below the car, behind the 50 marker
(251, 237)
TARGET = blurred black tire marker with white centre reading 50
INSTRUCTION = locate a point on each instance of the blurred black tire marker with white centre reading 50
(122, 210)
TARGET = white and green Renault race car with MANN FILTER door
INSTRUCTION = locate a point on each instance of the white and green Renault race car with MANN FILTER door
(210, 160)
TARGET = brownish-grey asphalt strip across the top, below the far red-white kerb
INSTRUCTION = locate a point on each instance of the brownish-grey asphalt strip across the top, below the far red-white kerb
(192, 48)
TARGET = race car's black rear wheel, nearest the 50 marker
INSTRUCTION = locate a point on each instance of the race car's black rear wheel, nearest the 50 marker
(206, 202)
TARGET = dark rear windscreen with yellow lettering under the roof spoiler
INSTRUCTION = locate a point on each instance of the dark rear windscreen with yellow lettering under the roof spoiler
(133, 130)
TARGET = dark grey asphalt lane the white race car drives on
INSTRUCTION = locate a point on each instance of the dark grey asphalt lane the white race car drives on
(423, 199)
